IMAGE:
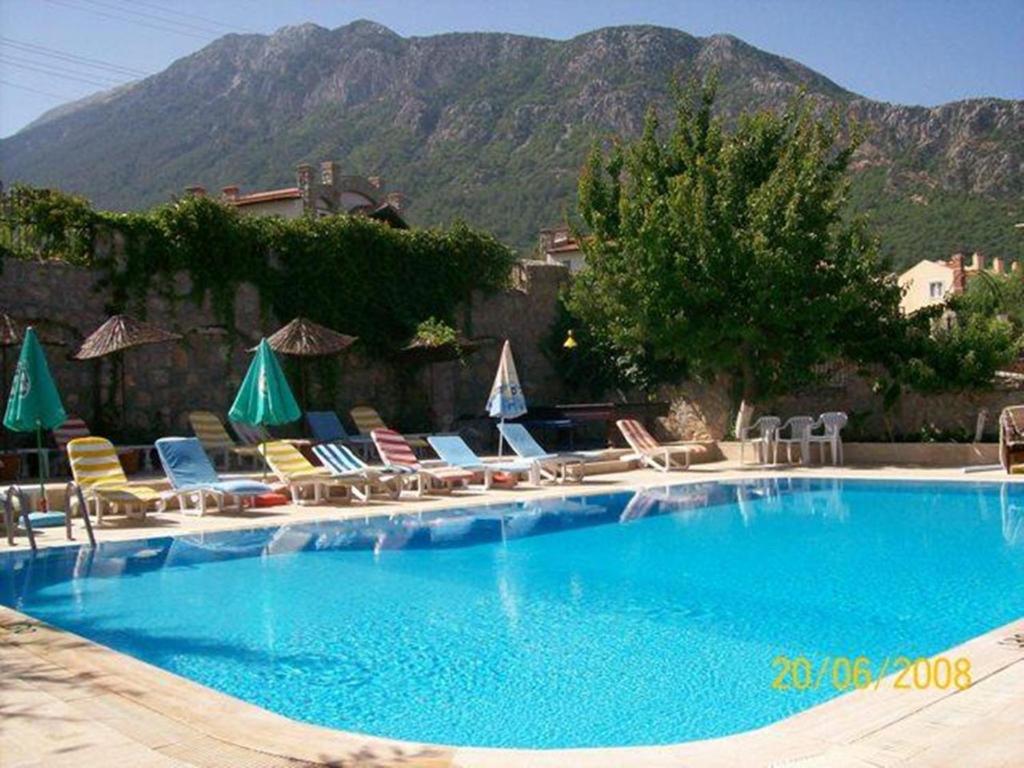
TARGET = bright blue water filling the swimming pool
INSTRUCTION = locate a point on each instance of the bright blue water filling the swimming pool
(619, 619)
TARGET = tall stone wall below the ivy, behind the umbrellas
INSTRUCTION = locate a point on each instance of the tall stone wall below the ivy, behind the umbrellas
(205, 369)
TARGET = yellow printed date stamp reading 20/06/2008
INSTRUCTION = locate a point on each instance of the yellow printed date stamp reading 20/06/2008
(861, 673)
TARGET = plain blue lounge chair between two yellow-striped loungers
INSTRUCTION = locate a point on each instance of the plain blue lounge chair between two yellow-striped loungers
(194, 479)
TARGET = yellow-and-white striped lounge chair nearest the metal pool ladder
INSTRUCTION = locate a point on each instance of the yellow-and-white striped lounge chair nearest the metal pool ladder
(99, 474)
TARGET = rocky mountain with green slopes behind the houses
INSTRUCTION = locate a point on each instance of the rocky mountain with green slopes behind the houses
(493, 129)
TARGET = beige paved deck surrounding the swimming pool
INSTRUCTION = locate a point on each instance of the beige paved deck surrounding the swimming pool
(68, 702)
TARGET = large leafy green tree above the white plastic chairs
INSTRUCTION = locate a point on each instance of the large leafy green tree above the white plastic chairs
(713, 252)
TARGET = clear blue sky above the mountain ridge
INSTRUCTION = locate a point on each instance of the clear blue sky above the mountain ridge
(909, 52)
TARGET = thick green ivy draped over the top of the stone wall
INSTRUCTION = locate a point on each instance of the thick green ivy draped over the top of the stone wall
(349, 273)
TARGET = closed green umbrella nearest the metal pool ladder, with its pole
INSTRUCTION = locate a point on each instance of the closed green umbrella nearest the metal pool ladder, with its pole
(34, 404)
